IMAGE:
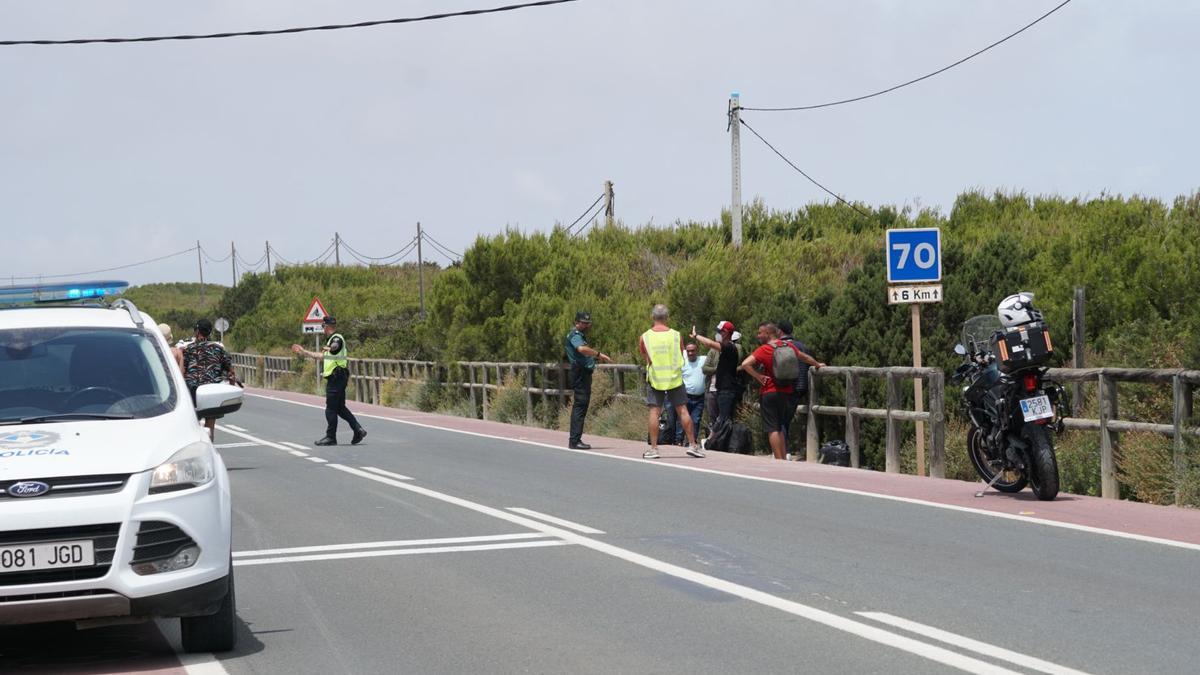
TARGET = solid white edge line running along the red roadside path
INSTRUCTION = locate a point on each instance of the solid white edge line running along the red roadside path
(1088, 529)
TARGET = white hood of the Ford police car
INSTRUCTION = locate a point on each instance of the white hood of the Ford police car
(89, 447)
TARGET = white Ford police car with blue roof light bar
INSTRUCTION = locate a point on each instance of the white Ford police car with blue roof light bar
(113, 501)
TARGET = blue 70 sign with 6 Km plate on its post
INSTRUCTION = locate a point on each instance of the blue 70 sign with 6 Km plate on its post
(915, 259)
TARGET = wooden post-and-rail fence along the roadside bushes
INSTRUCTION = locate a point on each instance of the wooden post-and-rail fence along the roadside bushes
(550, 384)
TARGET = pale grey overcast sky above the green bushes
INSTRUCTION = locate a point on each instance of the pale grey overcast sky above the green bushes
(113, 154)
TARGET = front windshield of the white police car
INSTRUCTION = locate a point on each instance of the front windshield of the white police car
(68, 374)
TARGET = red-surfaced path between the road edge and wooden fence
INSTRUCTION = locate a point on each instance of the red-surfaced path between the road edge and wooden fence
(1115, 517)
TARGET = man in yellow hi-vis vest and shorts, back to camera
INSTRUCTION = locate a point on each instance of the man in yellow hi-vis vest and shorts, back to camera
(663, 350)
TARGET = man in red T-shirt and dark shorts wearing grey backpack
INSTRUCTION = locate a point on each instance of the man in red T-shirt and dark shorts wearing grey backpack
(776, 366)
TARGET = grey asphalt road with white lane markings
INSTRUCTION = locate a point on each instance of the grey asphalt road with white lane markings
(405, 555)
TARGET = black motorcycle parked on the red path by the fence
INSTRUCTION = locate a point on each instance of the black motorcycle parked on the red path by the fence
(1012, 405)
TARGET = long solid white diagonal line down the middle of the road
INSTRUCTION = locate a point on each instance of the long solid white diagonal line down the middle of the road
(851, 626)
